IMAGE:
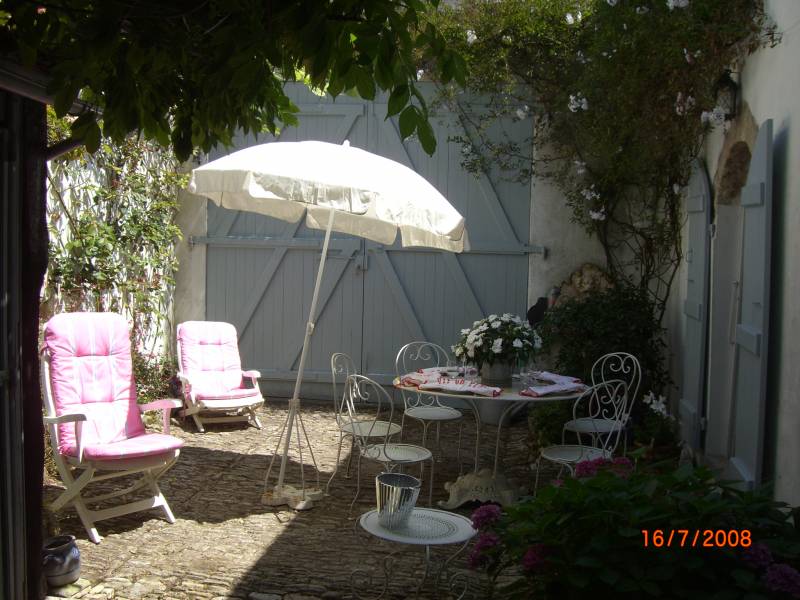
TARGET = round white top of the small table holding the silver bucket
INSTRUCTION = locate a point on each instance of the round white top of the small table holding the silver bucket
(425, 527)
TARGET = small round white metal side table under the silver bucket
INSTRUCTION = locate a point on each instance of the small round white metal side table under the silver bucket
(426, 527)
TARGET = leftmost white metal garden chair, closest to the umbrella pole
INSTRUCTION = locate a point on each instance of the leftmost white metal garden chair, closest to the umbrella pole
(342, 366)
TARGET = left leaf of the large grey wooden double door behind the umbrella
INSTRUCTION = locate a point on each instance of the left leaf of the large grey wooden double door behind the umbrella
(261, 271)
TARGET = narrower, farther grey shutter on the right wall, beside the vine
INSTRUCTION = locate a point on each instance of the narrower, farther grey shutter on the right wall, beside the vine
(695, 305)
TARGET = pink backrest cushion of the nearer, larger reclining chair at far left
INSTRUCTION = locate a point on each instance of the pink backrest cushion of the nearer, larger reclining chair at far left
(91, 372)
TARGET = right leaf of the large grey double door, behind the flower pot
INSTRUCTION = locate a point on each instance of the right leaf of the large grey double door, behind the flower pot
(435, 294)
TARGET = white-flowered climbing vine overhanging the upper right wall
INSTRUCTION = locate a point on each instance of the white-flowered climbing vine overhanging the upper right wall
(622, 93)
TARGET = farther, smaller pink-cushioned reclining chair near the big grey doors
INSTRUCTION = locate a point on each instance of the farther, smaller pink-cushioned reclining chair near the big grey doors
(212, 376)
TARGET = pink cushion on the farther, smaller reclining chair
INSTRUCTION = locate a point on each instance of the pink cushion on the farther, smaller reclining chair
(209, 357)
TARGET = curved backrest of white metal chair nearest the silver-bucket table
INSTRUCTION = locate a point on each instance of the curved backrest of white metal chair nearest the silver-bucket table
(360, 390)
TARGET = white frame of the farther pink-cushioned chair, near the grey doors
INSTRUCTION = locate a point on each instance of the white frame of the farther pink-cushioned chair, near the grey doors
(225, 410)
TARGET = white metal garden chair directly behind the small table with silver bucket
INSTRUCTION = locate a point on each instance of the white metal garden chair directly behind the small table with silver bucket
(360, 391)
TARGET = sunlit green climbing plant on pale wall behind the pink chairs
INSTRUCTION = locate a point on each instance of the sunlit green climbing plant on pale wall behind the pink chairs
(111, 219)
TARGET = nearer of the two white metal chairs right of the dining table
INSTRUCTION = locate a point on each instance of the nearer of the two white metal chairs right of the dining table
(605, 442)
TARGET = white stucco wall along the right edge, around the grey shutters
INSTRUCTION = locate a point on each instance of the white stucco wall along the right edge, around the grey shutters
(770, 86)
